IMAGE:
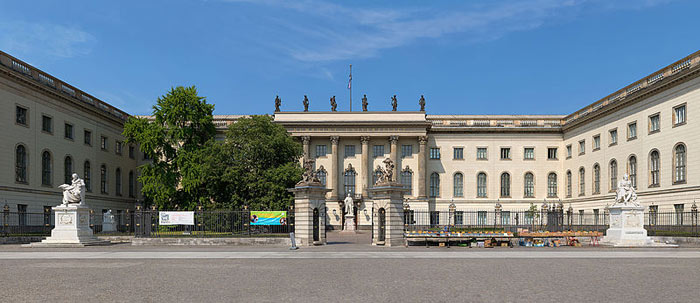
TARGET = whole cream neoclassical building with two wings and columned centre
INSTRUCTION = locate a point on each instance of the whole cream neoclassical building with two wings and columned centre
(644, 130)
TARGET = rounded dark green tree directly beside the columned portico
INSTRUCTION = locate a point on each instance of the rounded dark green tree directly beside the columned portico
(254, 166)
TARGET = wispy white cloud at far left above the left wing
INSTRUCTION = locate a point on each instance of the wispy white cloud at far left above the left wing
(19, 37)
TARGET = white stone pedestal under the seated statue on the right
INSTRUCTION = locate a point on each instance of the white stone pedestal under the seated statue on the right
(627, 228)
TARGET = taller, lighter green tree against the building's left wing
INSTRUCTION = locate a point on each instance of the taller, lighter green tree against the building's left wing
(177, 139)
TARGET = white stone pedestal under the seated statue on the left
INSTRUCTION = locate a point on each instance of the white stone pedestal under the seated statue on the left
(72, 228)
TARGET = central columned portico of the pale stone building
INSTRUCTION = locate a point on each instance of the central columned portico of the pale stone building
(348, 146)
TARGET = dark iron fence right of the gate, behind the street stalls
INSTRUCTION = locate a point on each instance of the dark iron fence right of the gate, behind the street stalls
(656, 223)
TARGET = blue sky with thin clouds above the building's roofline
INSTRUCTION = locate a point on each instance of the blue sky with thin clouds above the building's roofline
(466, 57)
